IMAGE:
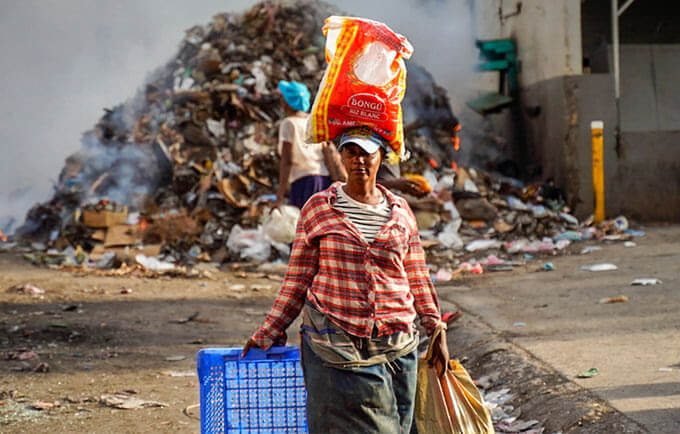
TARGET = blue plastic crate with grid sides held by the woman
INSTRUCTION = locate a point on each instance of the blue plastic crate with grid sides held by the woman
(261, 393)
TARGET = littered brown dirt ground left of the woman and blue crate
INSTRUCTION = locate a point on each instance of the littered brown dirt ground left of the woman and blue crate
(102, 335)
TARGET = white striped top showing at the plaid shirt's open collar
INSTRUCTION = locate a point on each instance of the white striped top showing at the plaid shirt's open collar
(367, 218)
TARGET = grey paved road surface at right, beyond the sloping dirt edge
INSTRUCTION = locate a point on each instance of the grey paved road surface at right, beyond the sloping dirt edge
(635, 345)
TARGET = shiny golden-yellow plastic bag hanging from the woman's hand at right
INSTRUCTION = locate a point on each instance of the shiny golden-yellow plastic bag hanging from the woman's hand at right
(450, 404)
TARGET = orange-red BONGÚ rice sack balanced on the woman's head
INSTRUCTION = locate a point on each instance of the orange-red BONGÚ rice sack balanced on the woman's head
(364, 82)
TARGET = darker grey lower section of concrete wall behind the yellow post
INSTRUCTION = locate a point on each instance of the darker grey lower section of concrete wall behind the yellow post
(642, 174)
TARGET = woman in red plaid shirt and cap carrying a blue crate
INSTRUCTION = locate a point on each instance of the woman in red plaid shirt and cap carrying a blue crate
(357, 273)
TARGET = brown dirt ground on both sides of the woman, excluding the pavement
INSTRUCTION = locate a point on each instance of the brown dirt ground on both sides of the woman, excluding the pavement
(102, 335)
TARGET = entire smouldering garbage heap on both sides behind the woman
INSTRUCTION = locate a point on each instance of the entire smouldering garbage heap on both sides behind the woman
(185, 172)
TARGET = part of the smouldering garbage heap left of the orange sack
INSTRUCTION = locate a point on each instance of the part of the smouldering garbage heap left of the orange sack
(187, 168)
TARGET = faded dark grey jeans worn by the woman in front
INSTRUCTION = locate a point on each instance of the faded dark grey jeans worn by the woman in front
(367, 399)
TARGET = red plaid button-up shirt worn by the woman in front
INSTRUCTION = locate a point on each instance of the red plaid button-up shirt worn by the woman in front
(358, 286)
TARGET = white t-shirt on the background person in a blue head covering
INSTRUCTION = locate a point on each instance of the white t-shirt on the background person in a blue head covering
(307, 158)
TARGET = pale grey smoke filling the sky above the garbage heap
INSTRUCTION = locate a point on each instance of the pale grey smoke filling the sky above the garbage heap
(63, 62)
